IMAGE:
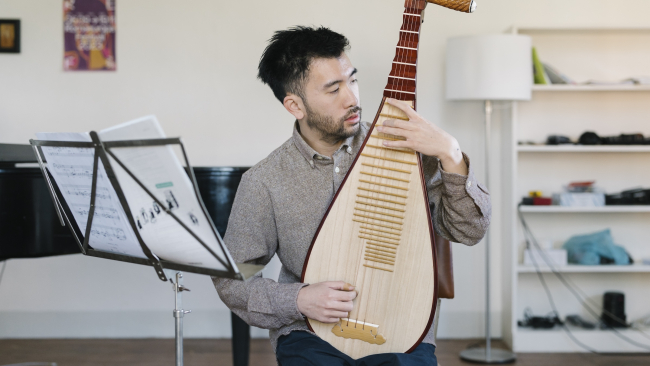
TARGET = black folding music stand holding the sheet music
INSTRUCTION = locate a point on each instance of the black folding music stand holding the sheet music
(102, 149)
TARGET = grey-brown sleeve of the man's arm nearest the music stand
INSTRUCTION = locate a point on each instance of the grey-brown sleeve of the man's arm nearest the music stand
(251, 237)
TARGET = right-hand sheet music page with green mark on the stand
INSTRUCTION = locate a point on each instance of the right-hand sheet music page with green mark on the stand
(158, 168)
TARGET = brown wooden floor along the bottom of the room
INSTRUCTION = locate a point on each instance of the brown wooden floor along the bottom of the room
(213, 352)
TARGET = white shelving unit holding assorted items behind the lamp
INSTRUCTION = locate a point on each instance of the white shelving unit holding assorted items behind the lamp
(583, 54)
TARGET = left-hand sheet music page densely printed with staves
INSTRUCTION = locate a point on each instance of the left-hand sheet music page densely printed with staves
(72, 170)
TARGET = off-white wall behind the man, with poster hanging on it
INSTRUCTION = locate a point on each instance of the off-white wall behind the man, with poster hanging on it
(193, 64)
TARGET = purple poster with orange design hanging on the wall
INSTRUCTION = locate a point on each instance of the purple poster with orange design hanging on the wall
(89, 35)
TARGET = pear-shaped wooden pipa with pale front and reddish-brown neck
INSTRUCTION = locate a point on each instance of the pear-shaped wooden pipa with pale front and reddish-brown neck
(377, 233)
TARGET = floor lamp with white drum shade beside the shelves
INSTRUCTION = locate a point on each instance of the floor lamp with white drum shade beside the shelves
(489, 68)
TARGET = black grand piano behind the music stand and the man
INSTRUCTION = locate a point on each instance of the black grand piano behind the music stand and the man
(30, 228)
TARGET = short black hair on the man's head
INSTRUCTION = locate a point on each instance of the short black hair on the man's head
(284, 65)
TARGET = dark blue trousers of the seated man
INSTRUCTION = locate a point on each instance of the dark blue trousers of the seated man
(302, 348)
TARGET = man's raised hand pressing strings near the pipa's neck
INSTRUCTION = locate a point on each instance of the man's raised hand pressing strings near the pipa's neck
(424, 137)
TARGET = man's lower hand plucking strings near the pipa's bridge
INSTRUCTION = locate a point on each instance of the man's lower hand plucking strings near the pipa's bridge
(326, 302)
